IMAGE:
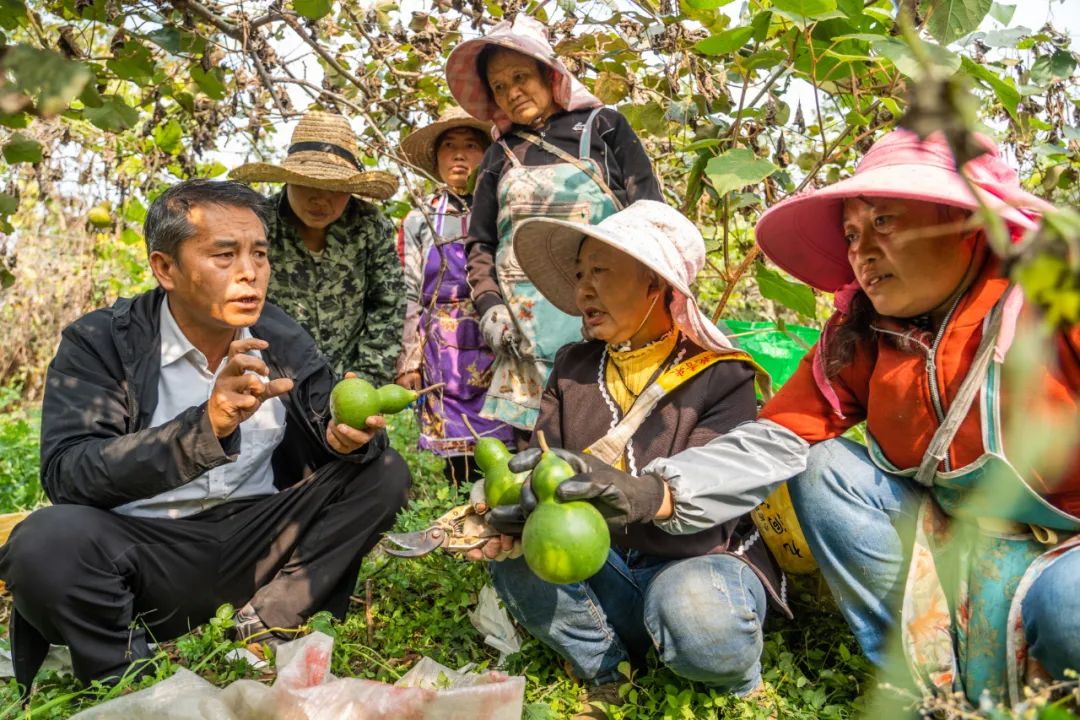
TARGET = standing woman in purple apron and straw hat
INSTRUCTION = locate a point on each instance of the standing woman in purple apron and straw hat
(442, 342)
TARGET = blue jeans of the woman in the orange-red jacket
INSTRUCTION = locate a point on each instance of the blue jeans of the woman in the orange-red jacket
(858, 521)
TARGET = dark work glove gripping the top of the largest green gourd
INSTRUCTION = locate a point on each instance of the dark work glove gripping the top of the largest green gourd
(623, 499)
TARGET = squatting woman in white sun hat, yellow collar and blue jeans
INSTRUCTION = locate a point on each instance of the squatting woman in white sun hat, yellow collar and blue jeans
(657, 378)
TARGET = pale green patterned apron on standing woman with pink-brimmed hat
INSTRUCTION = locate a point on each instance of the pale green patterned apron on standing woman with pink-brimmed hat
(570, 191)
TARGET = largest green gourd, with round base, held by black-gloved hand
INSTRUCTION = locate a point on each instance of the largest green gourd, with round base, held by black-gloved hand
(564, 542)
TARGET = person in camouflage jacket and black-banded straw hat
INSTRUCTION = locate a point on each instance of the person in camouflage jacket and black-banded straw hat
(334, 257)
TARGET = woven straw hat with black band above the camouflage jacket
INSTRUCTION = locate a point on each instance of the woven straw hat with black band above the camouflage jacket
(322, 154)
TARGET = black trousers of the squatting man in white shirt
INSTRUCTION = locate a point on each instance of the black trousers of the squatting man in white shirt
(106, 585)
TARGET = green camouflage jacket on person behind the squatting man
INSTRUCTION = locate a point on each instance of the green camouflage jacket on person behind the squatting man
(350, 297)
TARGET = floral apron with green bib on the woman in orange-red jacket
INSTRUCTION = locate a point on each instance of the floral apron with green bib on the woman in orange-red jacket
(982, 538)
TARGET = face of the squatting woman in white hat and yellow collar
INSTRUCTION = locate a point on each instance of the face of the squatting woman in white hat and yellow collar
(615, 292)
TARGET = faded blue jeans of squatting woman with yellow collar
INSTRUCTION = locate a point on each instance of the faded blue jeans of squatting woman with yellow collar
(703, 615)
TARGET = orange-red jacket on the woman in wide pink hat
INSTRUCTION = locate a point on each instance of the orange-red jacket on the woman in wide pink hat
(890, 390)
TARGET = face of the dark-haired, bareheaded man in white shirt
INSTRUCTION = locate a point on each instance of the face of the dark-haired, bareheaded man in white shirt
(220, 279)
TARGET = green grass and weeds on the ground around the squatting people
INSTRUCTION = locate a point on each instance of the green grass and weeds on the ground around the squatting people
(812, 665)
